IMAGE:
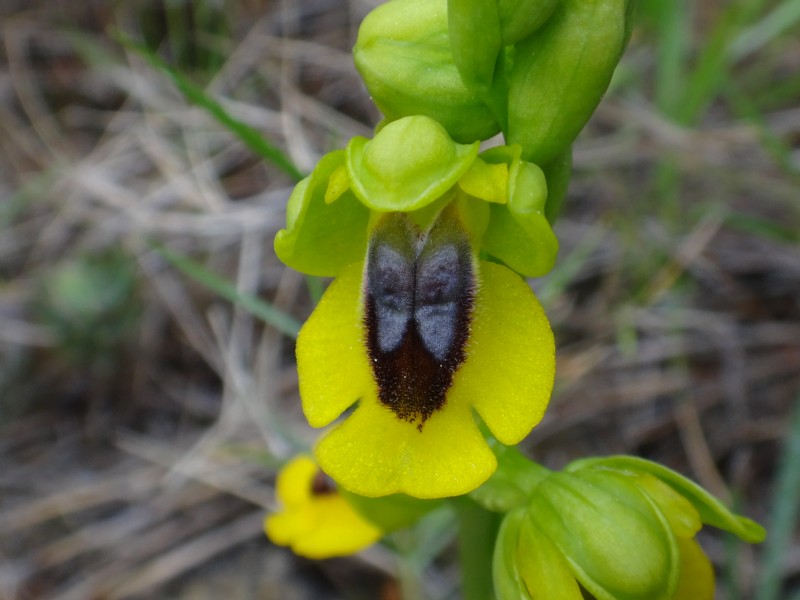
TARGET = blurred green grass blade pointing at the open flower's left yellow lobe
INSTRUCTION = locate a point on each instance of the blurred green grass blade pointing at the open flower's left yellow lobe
(254, 305)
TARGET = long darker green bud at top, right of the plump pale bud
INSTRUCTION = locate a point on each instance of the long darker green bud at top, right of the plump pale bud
(561, 72)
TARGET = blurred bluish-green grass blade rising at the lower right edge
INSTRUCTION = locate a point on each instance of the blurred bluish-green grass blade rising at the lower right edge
(785, 512)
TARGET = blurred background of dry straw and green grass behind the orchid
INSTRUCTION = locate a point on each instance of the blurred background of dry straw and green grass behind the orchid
(147, 380)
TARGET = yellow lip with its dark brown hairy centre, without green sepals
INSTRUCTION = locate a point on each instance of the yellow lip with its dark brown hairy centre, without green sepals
(419, 337)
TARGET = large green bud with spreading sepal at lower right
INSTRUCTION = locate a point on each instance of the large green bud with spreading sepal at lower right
(621, 528)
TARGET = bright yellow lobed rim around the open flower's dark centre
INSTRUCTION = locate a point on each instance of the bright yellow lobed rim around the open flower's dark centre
(506, 379)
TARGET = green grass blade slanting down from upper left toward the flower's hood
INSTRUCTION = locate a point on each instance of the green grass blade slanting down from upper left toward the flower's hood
(251, 137)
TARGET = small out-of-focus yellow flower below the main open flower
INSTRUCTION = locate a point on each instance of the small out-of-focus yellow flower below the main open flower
(315, 521)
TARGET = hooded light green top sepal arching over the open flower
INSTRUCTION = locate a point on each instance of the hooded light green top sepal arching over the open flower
(407, 165)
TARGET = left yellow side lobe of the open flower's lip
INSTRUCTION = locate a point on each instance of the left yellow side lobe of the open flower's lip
(332, 364)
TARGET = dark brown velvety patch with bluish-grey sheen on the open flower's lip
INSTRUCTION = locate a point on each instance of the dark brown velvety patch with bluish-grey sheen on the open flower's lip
(419, 297)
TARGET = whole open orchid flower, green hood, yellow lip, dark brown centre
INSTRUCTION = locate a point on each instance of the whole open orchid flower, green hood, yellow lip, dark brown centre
(422, 335)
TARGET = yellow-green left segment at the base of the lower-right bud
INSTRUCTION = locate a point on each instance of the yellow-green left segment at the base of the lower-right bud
(546, 573)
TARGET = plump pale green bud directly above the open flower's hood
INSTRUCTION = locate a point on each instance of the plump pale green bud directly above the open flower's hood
(404, 57)
